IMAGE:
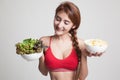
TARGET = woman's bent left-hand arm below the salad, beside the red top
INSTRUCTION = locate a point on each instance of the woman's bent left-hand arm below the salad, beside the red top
(42, 68)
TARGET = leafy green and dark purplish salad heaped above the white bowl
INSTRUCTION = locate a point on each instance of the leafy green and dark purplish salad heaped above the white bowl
(29, 46)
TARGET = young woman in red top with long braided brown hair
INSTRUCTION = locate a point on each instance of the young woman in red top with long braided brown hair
(65, 57)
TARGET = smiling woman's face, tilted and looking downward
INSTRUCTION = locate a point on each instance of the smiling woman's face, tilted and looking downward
(62, 23)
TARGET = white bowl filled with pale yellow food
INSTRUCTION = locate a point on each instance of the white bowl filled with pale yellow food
(95, 45)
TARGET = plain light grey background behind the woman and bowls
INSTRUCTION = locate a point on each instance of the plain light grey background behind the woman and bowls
(20, 19)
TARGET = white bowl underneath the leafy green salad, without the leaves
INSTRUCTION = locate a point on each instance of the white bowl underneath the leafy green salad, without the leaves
(31, 57)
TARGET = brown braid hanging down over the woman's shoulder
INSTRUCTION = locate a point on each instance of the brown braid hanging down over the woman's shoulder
(75, 43)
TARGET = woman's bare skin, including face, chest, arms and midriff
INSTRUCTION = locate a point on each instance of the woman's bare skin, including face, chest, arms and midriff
(61, 47)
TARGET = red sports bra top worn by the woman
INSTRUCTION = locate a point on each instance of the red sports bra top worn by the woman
(55, 64)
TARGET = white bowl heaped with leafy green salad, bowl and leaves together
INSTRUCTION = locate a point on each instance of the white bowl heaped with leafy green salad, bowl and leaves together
(30, 49)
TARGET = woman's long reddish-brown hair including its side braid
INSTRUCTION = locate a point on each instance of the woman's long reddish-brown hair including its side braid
(74, 14)
